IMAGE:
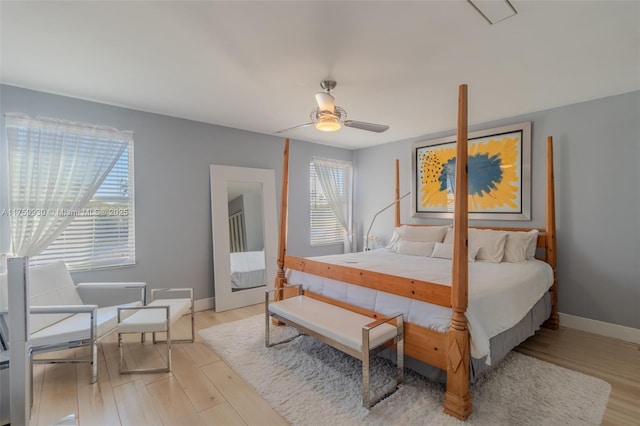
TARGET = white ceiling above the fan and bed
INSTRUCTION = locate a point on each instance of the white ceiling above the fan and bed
(256, 65)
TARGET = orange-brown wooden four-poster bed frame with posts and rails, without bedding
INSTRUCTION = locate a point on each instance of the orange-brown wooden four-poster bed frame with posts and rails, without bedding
(449, 351)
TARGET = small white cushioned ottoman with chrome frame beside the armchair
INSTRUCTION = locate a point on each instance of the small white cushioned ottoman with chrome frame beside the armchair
(156, 317)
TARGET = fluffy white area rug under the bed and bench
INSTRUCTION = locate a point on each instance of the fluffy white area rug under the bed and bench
(310, 383)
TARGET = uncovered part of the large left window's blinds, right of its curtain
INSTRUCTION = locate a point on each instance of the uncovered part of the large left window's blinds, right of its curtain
(102, 234)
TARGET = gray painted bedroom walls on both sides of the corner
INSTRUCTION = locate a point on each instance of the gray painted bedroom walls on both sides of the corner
(597, 157)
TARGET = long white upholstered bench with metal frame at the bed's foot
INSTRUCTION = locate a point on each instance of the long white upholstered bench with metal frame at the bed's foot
(347, 331)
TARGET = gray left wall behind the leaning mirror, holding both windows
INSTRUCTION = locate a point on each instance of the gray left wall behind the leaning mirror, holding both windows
(172, 201)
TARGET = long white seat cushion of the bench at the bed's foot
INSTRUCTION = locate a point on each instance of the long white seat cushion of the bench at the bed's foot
(339, 325)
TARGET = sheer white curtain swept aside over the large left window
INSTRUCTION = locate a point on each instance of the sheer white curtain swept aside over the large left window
(55, 167)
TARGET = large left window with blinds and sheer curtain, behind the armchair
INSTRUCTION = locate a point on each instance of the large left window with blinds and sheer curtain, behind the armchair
(70, 195)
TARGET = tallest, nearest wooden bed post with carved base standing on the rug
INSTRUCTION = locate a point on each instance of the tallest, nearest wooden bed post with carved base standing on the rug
(457, 400)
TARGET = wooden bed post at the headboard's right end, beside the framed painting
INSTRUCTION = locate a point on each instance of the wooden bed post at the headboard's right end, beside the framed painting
(554, 320)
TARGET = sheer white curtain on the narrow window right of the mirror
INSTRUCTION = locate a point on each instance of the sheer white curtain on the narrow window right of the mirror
(335, 178)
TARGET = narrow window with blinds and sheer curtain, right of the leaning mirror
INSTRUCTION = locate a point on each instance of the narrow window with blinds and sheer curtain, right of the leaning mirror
(325, 226)
